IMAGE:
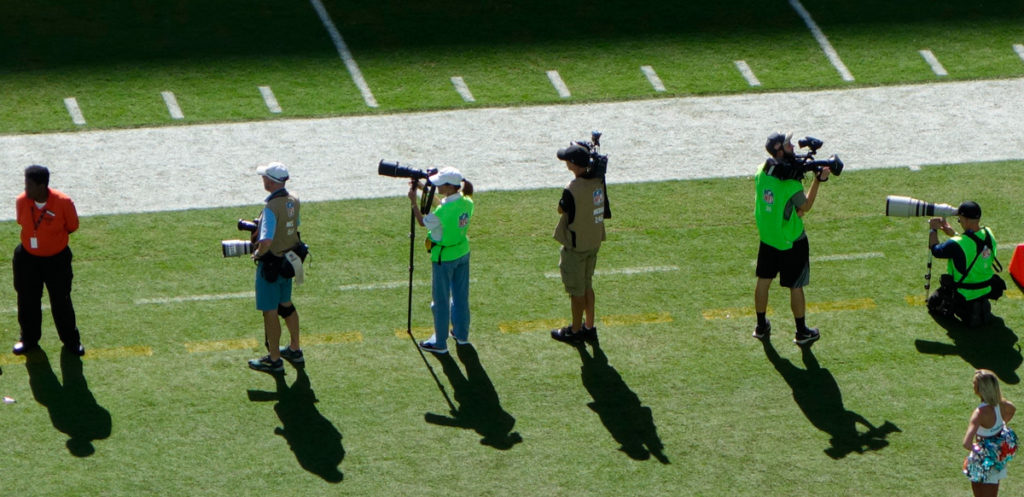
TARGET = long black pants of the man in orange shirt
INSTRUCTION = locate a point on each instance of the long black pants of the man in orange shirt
(31, 274)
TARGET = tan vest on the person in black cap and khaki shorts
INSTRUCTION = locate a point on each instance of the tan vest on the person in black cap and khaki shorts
(585, 231)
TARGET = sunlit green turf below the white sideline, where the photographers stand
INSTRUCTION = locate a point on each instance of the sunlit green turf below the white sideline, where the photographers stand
(727, 416)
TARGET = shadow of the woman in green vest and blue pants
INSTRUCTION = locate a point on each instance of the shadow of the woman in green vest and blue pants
(480, 407)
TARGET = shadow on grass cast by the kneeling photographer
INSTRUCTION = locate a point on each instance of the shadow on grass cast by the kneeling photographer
(992, 347)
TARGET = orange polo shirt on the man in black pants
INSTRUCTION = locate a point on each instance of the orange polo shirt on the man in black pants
(50, 226)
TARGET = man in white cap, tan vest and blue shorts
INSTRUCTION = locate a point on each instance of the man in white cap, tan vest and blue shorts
(277, 234)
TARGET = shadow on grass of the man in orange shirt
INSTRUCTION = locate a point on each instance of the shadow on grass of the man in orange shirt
(73, 408)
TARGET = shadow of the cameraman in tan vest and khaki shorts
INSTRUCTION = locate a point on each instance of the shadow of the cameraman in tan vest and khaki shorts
(630, 423)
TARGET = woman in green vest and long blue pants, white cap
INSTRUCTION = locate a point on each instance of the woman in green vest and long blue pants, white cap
(449, 245)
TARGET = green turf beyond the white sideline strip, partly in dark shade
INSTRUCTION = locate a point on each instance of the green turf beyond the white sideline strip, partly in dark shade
(116, 59)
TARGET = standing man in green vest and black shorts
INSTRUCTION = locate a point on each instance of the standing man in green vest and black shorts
(780, 209)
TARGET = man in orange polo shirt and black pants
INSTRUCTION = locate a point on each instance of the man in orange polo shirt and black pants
(48, 218)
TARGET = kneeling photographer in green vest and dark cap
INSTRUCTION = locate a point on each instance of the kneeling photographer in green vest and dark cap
(971, 281)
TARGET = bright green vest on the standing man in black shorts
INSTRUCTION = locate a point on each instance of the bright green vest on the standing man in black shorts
(779, 224)
